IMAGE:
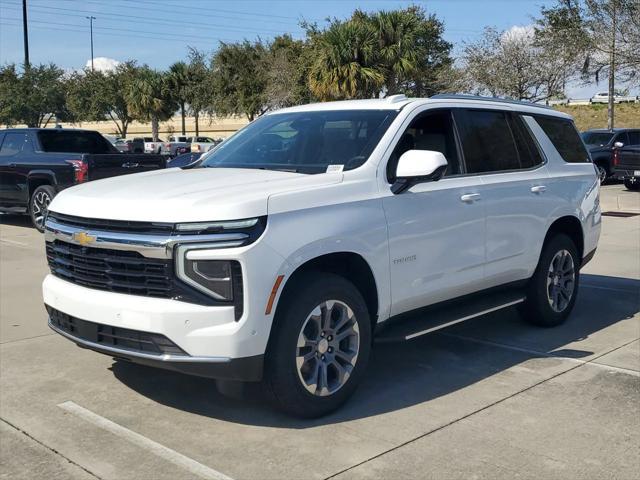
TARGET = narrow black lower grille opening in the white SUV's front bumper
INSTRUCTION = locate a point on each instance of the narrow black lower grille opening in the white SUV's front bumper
(116, 337)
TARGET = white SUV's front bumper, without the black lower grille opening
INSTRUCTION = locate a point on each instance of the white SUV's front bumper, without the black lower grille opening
(215, 344)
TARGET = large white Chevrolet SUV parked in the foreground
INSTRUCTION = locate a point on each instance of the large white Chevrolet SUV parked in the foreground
(281, 255)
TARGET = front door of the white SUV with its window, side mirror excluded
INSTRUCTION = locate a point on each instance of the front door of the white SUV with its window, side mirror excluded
(436, 229)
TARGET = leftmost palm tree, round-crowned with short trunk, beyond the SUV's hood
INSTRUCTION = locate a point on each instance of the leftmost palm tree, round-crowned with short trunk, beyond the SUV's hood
(150, 98)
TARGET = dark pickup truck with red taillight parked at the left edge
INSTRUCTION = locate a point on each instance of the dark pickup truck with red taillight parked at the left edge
(36, 163)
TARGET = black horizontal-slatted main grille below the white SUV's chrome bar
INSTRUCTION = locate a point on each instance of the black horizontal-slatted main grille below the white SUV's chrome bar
(112, 270)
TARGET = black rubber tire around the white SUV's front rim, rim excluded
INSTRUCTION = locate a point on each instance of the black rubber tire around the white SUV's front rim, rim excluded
(281, 370)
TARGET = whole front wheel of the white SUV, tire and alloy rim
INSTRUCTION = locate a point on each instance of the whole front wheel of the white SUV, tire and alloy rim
(320, 345)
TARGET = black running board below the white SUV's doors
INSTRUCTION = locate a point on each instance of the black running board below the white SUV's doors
(443, 315)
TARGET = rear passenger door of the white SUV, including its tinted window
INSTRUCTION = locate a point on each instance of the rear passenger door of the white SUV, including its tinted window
(500, 150)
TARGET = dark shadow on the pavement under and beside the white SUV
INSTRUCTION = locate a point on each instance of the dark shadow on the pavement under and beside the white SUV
(402, 375)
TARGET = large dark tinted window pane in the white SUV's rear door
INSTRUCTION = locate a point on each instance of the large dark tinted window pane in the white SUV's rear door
(487, 141)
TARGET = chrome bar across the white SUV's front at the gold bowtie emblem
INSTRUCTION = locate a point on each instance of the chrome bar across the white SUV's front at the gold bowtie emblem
(150, 246)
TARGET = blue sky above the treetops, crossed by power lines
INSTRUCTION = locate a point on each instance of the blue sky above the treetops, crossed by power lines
(157, 32)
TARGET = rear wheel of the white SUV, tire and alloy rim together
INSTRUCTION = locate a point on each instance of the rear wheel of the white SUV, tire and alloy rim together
(552, 291)
